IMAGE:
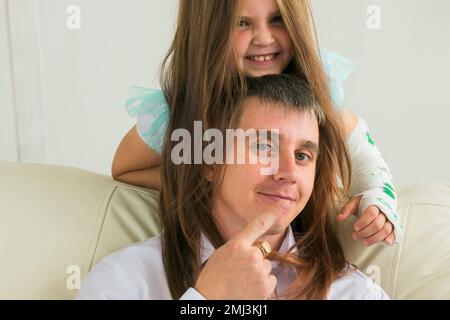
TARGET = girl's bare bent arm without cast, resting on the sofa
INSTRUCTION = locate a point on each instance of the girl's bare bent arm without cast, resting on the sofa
(135, 163)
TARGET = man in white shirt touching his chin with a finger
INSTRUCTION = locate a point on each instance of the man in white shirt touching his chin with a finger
(222, 223)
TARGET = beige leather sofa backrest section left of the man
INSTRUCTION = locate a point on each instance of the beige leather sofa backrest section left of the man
(57, 222)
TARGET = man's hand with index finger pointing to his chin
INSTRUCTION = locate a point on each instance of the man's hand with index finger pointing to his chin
(238, 270)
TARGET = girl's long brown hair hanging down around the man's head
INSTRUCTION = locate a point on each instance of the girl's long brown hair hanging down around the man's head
(201, 83)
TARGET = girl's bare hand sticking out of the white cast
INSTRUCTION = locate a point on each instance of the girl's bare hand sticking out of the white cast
(372, 227)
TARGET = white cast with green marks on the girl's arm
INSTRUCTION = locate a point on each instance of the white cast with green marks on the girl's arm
(371, 177)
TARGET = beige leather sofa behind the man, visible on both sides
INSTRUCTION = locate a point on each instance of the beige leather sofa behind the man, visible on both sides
(57, 222)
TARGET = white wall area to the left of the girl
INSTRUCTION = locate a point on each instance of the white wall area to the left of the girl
(70, 85)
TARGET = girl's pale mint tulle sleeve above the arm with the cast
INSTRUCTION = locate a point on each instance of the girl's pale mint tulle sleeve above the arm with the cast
(337, 68)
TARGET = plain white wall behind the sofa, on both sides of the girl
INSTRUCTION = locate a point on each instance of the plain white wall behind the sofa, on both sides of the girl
(65, 89)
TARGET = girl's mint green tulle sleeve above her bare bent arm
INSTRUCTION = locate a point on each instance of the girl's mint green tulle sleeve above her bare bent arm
(152, 112)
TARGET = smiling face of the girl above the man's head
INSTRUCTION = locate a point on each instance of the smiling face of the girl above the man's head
(262, 43)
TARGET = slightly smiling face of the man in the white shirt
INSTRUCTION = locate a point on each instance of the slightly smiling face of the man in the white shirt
(245, 193)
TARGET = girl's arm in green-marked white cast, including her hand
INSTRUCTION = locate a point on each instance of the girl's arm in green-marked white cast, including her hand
(375, 200)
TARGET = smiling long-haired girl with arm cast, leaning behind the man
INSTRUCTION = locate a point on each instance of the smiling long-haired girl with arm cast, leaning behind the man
(210, 51)
